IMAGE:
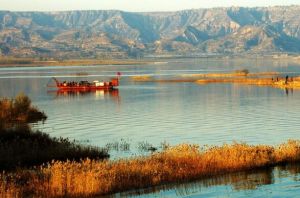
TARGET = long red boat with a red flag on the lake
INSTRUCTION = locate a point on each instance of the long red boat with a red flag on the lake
(87, 86)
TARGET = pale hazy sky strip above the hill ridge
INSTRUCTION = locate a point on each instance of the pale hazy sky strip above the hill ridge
(132, 5)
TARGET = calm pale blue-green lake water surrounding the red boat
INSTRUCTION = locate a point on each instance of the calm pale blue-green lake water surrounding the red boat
(140, 114)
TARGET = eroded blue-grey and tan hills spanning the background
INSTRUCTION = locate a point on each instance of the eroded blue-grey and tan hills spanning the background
(102, 34)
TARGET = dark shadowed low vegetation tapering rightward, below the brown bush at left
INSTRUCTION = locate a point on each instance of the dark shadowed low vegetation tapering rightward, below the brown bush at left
(22, 147)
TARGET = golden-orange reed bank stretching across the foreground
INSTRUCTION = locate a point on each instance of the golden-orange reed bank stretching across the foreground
(180, 163)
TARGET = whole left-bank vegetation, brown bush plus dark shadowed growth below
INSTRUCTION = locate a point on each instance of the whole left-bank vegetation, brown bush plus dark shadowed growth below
(20, 146)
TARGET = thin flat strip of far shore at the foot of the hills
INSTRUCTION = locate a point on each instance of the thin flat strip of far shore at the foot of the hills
(7, 61)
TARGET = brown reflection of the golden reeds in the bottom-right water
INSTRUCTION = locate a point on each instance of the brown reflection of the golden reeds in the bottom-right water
(238, 182)
